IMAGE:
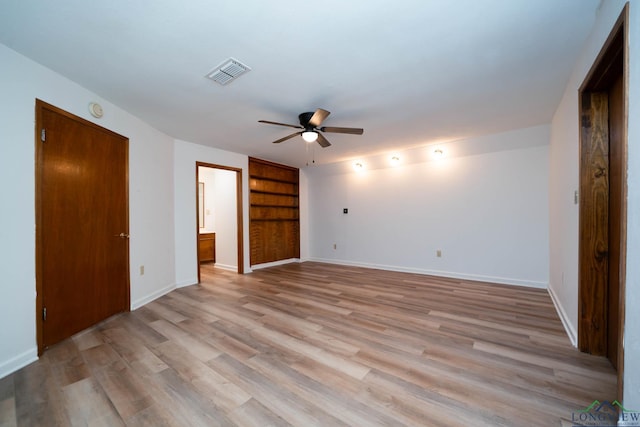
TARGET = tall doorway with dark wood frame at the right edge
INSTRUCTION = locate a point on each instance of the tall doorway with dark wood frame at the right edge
(603, 208)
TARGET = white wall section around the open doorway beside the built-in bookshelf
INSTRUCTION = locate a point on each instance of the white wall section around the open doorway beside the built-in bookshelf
(186, 155)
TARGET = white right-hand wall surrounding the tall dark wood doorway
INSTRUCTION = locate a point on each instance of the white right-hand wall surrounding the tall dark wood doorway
(564, 172)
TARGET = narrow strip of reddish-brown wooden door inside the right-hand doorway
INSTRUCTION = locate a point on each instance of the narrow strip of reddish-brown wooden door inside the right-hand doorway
(616, 194)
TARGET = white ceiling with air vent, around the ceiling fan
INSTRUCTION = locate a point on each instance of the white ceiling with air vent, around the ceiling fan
(410, 72)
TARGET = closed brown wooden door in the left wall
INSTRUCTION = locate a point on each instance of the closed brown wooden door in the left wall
(82, 223)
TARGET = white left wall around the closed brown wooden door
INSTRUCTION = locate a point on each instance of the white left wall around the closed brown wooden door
(150, 198)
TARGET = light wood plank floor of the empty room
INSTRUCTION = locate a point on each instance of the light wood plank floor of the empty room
(316, 344)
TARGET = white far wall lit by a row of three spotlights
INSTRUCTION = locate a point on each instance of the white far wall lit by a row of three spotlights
(486, 212)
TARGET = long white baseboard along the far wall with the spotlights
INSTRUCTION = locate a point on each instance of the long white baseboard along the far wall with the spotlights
(439, 273)
